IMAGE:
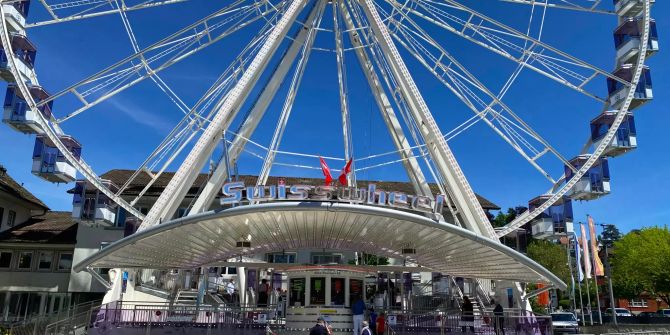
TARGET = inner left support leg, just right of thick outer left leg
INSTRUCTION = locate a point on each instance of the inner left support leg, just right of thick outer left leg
(218, 178)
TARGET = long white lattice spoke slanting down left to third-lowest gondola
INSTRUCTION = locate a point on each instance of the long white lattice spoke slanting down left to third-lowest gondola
(160, 56)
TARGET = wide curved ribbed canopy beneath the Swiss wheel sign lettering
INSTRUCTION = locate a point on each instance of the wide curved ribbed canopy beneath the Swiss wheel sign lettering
(213, 237)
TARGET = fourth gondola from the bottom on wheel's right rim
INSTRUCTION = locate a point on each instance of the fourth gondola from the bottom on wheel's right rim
(618, 91)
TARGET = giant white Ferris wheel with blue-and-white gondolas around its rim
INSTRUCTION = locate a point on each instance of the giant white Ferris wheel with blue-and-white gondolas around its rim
(400, 51)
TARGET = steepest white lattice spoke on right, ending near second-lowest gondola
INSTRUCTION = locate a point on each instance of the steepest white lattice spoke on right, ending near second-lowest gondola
(475, 95)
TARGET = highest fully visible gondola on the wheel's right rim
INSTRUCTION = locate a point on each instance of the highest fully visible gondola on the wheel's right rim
(627, 39)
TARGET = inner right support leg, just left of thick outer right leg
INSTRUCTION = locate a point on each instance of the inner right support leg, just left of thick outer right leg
(400, 141)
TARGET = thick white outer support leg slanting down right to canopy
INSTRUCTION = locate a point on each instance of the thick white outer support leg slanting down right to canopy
(459, 189)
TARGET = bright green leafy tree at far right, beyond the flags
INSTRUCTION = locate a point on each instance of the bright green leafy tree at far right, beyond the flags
(641, 263)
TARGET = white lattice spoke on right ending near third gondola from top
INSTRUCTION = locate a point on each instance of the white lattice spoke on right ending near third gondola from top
(516, 46)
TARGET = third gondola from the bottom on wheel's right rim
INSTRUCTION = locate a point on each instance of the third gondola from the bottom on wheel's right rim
(625, 139)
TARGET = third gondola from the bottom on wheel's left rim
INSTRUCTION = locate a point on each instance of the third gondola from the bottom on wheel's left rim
(18, 115)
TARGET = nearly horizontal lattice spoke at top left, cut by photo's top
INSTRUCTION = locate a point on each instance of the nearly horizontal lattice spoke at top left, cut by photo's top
(84, 9)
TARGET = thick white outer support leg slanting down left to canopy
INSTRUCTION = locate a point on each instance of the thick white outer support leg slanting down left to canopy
(168, 202)
